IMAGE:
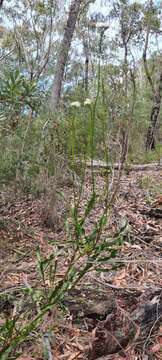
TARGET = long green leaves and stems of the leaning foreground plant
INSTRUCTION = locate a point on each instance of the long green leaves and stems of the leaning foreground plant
(14, 332)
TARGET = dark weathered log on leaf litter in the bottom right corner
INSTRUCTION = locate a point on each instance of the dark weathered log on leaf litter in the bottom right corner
(115, 333)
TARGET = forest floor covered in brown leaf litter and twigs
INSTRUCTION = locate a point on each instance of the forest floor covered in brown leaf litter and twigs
(115, 314)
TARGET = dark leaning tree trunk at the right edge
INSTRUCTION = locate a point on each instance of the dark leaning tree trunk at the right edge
(150, 140)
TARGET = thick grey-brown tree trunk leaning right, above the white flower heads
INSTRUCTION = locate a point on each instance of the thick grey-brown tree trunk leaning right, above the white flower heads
(63, 53)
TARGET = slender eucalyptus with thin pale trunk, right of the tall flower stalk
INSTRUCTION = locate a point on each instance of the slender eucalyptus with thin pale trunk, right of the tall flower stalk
(127, 17)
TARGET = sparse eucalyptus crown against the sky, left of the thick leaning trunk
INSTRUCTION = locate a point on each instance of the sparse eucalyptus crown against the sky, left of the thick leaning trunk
(31, 32)
